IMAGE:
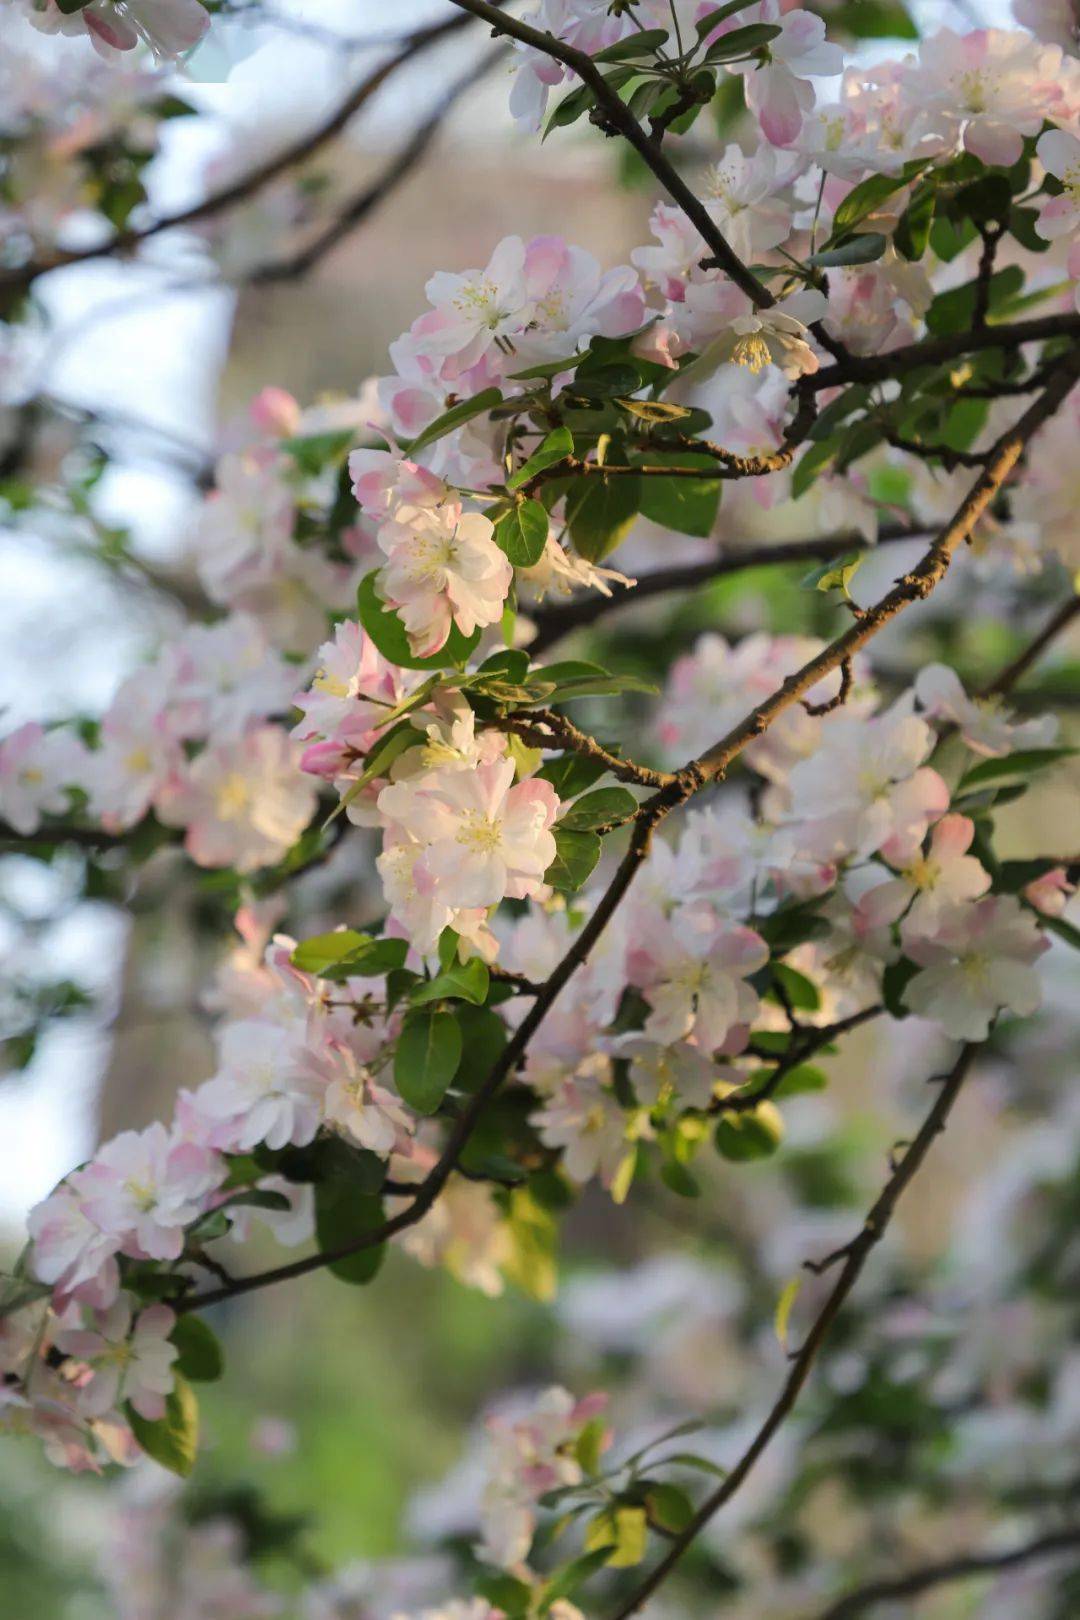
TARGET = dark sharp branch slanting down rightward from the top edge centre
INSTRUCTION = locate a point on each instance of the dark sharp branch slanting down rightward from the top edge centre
(621, 119)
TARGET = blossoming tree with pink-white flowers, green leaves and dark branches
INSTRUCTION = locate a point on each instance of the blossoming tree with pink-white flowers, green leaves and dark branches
(631, 908)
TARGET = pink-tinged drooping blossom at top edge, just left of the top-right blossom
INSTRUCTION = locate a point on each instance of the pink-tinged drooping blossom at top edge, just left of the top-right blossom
(778, 92)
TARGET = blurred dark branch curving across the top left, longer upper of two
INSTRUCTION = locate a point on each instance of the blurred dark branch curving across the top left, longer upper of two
(255, 179)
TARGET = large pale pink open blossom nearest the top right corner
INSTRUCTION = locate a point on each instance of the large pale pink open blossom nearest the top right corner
(1001, 85)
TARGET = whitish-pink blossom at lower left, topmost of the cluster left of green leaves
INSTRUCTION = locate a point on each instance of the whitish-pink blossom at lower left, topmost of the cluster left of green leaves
(266, 1089)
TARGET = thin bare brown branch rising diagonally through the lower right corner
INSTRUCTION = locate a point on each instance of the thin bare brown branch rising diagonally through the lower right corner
(861, 1250)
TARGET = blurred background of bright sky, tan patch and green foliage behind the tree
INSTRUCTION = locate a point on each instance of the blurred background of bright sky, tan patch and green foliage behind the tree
(351, 1407)
